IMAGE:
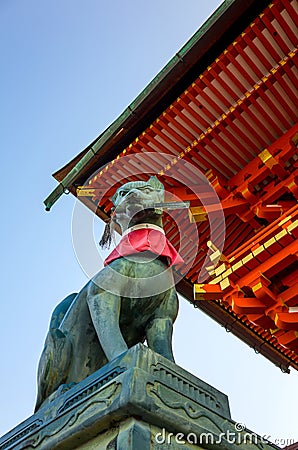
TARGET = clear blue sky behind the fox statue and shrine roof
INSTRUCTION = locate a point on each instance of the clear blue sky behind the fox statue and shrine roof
(68, 69)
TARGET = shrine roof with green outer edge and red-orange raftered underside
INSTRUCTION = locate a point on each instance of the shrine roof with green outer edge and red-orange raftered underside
(226, 107)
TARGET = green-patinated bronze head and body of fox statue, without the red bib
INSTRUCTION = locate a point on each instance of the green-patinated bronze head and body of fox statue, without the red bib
(129, 301)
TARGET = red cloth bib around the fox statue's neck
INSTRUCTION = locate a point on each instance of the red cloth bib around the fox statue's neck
(145, 239)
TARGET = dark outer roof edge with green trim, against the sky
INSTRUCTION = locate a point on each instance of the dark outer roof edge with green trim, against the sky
(212, 38)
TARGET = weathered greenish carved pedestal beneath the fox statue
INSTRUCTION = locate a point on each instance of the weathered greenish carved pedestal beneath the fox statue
(139, 401)
